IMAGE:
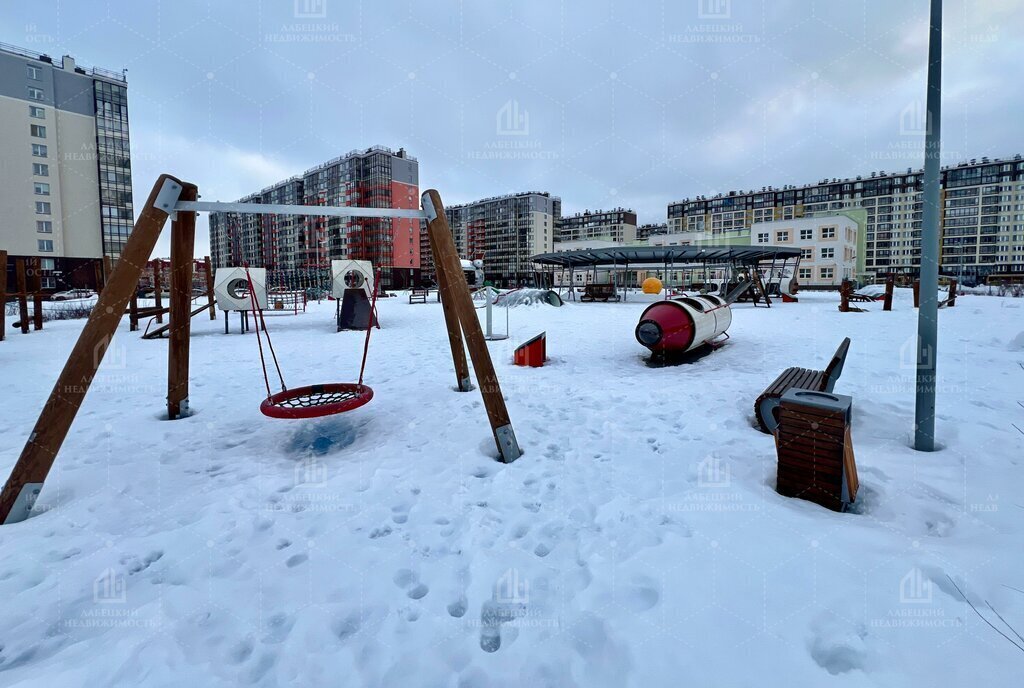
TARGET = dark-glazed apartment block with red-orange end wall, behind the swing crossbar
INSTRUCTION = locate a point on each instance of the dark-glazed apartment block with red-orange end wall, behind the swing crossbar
(298, 249)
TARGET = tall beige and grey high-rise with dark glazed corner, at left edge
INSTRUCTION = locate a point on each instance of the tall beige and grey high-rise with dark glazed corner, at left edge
(66, 177)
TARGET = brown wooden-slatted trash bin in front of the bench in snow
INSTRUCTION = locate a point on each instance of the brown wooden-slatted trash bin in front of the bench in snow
(816, 450)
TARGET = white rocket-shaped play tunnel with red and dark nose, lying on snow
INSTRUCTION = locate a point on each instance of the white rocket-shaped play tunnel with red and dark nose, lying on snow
(676, 326)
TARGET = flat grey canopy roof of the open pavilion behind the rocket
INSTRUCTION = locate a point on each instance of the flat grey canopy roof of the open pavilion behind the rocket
(660, 255)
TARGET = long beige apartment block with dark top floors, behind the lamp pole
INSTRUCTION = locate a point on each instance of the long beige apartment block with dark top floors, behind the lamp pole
(983, 223)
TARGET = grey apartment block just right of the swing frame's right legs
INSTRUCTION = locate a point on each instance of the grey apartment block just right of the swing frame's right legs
(504, 232)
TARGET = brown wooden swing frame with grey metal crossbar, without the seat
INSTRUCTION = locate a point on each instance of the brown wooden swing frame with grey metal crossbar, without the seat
(179, 200)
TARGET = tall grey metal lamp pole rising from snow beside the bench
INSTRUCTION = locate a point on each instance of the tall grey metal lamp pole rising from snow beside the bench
(928, 314)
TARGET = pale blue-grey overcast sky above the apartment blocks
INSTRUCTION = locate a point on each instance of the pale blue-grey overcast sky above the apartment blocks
(604, 103)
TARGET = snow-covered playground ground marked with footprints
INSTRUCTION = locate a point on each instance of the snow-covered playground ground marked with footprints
(639, 541)
